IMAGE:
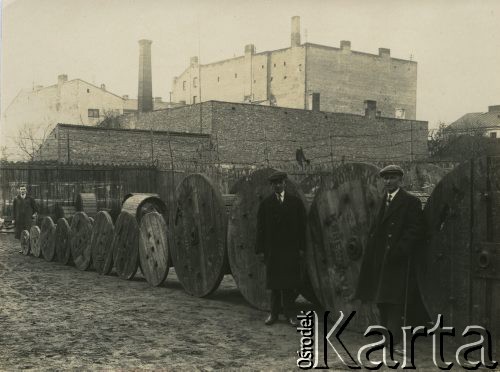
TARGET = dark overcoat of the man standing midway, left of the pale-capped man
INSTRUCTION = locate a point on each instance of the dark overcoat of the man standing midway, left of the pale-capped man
(281, 236)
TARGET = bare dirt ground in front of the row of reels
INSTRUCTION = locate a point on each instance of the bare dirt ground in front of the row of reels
(55, 317)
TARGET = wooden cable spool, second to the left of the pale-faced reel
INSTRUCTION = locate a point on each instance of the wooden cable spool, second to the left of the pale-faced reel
(101, 243)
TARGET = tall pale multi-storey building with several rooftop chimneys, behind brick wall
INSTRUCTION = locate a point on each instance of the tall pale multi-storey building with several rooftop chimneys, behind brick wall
(305, 76)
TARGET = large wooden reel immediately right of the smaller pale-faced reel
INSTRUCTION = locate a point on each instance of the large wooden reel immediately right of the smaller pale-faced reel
(199, 250)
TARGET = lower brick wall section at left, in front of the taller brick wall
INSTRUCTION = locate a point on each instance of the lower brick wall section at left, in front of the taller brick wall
(93, 145)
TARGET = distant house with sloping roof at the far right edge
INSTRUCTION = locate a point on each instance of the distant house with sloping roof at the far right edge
(478, 123)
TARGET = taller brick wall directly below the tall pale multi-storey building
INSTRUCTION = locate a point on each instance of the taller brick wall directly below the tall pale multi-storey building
(246, 134)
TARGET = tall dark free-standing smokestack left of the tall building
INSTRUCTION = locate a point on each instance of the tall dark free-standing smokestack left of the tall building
(145, 94)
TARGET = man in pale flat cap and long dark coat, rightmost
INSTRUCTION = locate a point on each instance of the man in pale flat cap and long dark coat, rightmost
(387, 277)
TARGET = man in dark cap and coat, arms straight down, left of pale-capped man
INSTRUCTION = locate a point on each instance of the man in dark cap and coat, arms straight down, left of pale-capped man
(281, 240)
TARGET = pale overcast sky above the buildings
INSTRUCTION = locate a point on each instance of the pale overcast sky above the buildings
(455, 42)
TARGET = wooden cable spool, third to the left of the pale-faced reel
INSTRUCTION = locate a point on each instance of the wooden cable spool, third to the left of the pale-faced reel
(81, 235)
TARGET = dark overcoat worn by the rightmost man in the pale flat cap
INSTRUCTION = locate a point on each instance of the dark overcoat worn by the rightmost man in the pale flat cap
(395, 237)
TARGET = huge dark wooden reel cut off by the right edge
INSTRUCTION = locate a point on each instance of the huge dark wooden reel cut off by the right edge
(459, 272)
